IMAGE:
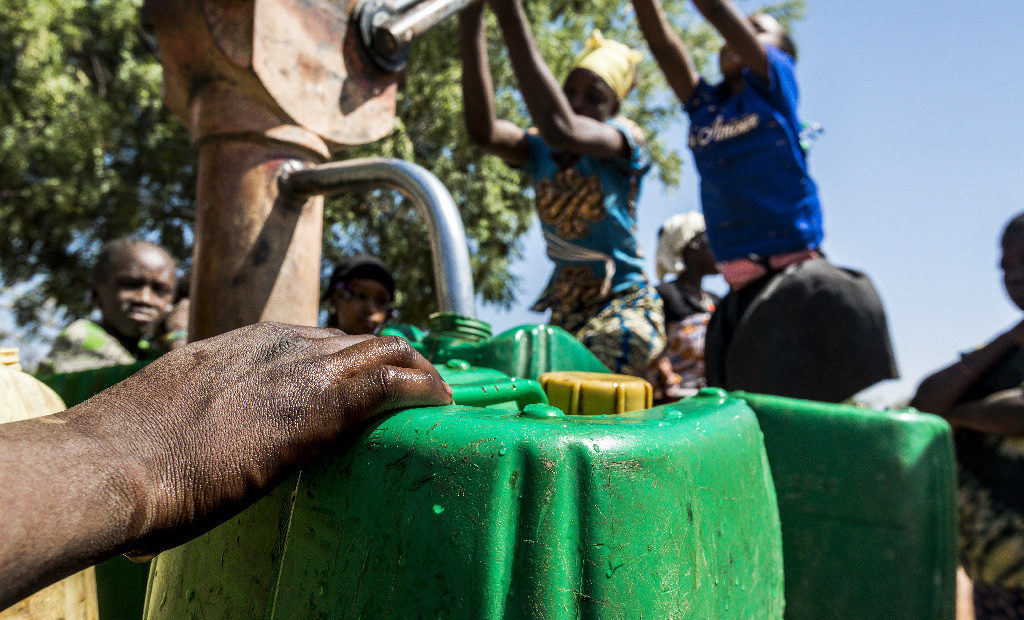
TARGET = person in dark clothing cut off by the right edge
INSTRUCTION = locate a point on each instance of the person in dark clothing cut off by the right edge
(982, 397)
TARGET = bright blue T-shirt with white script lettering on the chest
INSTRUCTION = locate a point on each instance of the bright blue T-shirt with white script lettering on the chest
(758, 198)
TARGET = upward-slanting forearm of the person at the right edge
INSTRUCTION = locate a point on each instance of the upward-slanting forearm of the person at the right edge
(943, 391)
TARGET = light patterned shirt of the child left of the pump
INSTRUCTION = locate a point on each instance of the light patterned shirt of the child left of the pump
(84, 346)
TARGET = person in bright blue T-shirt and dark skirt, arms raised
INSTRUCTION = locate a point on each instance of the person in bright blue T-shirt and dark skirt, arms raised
(792, 324)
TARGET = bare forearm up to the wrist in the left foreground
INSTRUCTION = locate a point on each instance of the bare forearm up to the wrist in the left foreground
(68, 503)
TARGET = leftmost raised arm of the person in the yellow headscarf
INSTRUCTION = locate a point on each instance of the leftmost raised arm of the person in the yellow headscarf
(494, 136)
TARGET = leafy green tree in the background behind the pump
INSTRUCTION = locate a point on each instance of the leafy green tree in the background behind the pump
(89, 153)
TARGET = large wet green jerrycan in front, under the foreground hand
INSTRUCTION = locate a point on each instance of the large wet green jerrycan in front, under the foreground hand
(473, 513)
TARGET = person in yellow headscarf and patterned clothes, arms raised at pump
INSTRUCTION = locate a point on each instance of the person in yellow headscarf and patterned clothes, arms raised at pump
(588, 164)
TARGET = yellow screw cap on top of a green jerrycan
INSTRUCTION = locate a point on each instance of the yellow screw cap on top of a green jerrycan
(596, 393)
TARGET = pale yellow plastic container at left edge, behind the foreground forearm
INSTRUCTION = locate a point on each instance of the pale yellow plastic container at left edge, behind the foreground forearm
(23, 398)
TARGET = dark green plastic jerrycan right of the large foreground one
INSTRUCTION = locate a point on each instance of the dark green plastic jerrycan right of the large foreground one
(868, 504)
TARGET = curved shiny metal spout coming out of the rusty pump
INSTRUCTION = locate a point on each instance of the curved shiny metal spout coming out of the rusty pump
(448, 238)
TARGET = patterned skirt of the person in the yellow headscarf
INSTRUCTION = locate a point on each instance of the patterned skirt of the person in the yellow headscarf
(625, 334)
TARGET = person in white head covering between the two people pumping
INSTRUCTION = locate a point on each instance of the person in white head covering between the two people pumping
(684, 252)
